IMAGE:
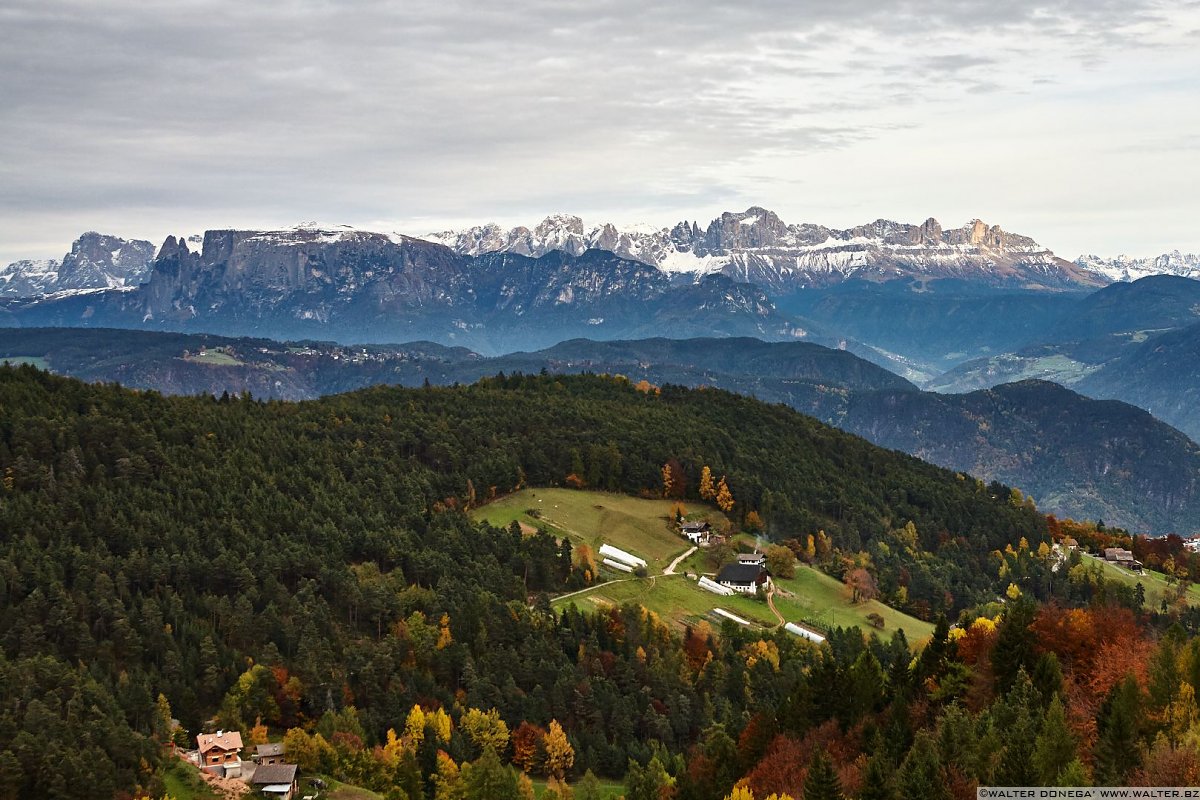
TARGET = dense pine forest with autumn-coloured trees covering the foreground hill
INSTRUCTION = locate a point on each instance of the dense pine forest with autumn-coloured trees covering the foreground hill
(310, 568)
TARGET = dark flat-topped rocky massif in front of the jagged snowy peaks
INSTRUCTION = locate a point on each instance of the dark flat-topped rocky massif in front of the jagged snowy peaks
(368, 287)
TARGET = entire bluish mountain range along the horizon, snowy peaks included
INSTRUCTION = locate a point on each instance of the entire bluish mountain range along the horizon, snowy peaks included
(952, 310)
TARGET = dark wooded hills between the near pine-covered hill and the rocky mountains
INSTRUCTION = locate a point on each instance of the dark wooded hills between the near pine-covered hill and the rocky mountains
(1075, 456)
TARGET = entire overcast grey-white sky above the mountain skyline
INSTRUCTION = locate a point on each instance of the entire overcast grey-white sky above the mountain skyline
(1072, 122)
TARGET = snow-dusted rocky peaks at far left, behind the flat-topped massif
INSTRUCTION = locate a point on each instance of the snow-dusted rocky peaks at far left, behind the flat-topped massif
(95, 262)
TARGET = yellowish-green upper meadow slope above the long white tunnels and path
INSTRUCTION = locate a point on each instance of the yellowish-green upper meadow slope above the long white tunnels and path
(641, 527)
